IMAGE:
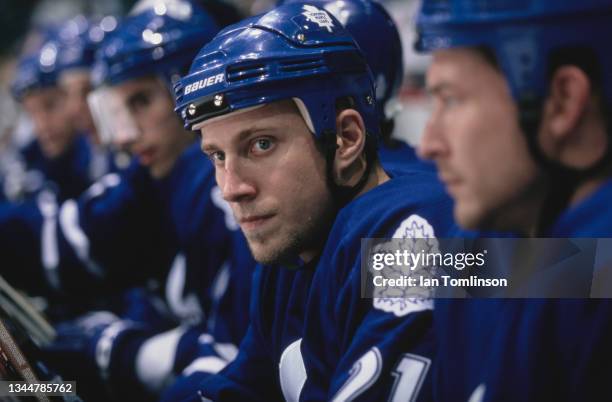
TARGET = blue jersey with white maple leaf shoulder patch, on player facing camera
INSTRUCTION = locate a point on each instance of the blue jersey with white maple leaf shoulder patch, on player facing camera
(309, 324)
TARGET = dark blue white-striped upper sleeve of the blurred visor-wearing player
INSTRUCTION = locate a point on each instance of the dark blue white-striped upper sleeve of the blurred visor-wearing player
(115, 225)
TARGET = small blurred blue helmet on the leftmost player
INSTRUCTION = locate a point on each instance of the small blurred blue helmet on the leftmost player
(36, 70)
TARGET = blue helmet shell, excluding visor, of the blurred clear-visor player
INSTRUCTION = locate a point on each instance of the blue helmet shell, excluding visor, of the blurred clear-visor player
(161, 39)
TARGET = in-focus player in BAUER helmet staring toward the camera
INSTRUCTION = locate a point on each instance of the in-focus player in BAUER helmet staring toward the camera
(285, 105)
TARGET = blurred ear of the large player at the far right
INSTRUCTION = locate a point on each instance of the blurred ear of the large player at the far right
(572, 129)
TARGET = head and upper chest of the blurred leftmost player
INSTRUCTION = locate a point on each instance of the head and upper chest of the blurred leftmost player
(58, 159)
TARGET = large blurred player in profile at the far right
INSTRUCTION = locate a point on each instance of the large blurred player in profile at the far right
(520, 131)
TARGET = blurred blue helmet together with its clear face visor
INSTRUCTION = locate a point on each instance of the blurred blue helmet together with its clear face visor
(160, 39)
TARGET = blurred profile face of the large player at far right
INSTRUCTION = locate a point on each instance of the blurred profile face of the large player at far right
(474, 137)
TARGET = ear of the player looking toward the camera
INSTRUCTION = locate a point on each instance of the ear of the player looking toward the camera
(350, 161)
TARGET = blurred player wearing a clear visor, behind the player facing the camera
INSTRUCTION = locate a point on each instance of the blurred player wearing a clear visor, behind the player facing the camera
(164, 226)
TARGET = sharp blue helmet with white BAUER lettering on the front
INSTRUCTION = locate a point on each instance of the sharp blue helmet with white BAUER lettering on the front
(295, 51)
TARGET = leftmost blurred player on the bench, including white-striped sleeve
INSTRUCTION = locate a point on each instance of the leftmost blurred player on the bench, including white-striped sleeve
(60, 163)
